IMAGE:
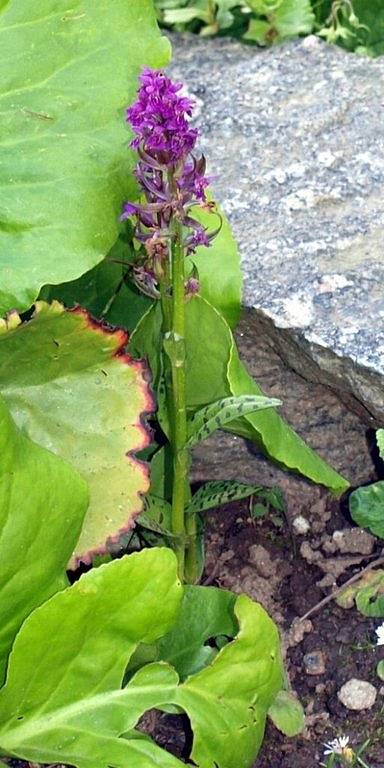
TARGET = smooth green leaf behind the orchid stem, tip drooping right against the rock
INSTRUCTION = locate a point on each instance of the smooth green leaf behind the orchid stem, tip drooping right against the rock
(214, 371)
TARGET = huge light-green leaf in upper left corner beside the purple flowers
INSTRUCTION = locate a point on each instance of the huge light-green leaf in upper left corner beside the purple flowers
(69, 67)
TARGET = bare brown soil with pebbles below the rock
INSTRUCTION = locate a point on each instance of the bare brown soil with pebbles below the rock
(345, 638)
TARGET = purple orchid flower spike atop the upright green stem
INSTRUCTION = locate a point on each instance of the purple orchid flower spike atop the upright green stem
(171, 177)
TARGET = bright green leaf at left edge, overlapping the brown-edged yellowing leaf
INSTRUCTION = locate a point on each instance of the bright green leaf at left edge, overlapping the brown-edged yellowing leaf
(42, 504)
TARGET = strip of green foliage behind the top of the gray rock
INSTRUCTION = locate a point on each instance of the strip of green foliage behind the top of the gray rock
(356, 25)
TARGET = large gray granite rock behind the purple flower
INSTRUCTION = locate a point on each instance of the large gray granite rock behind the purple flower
(294, 136)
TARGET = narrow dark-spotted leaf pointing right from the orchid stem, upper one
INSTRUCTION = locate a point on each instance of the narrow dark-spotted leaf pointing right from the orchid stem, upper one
(216, 415)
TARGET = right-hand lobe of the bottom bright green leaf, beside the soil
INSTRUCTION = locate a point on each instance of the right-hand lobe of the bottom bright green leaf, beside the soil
(227, 702)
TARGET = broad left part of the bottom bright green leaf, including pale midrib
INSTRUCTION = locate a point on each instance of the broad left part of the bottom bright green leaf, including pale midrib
(62, 702)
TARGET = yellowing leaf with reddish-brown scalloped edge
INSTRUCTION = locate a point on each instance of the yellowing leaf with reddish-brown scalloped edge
(72, 389)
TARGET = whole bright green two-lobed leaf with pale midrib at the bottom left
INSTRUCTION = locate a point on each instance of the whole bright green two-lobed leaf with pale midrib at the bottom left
(63, 703)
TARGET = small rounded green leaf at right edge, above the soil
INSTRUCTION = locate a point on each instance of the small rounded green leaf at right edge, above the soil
(366, 505)
